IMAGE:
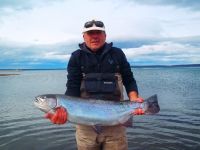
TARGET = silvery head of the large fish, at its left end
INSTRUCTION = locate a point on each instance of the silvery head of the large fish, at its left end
(46, 103)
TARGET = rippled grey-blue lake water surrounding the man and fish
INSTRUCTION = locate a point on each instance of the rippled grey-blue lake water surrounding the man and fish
(176, 127)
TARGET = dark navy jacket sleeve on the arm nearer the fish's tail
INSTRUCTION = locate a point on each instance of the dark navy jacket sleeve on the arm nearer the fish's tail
(127, 75)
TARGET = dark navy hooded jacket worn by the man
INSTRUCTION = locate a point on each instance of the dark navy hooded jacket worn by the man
(107, 60)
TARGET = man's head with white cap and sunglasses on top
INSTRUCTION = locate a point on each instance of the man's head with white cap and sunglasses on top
(94, 34)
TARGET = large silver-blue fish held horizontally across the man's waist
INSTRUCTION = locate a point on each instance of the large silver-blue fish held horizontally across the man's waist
(95, 112)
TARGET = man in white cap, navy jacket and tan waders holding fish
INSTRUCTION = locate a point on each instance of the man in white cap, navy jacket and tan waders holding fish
(98, 70)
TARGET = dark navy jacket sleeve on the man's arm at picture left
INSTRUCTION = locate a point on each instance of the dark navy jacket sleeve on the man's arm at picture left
(74, 75)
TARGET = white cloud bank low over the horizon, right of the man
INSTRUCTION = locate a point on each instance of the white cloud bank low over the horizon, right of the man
(164, 53)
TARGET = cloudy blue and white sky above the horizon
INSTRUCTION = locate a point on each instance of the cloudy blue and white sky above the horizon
(43, 33)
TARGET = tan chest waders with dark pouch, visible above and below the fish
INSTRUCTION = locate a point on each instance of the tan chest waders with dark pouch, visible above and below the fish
(106, 87)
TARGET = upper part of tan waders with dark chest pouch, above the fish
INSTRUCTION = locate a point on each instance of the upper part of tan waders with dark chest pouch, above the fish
(105, 86)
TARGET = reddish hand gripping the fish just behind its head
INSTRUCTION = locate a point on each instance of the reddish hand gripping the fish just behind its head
(59, 117)
